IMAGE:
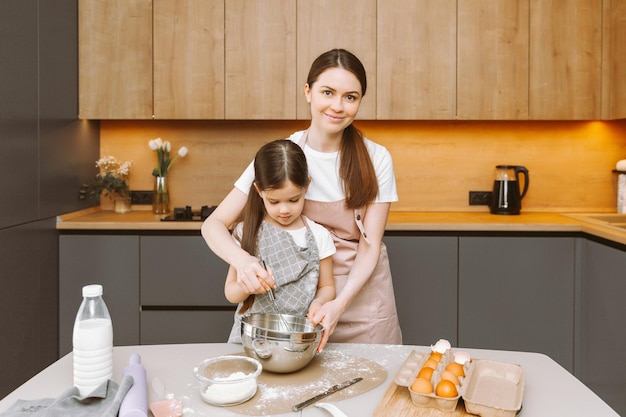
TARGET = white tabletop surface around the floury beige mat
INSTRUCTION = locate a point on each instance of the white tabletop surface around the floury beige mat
(550, 390)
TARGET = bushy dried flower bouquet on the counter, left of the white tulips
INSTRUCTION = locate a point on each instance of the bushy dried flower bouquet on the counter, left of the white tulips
(112, 180)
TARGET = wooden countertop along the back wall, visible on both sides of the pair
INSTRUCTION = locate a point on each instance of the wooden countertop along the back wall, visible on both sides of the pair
(144, 219)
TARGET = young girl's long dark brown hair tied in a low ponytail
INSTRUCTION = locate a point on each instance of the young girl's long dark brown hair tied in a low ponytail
(274, 164)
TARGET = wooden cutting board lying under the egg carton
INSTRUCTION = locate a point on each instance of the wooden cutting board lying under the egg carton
(397, 402)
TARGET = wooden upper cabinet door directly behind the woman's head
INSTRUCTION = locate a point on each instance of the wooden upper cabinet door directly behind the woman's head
(327, 24)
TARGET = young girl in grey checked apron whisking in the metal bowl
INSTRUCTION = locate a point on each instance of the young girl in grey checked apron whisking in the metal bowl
(297, 251)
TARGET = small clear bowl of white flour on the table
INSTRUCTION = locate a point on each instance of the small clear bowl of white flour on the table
(227, 380)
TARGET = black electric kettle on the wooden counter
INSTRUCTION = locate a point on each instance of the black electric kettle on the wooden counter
(506, 197)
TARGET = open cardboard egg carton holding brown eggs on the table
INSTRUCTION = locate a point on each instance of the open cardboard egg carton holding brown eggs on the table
(489, 388)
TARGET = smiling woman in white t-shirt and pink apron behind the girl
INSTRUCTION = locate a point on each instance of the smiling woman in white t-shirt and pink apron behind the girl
(352, 187)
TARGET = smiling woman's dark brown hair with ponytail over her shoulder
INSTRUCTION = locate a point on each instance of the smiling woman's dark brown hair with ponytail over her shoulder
(356, 169)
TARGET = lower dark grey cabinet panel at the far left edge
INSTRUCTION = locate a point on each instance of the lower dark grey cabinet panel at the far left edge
(28, 302)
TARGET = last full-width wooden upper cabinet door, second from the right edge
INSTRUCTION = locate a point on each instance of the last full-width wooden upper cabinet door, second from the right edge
(565, 59)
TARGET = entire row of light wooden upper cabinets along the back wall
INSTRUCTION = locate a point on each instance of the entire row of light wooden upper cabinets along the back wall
(425, 59)
